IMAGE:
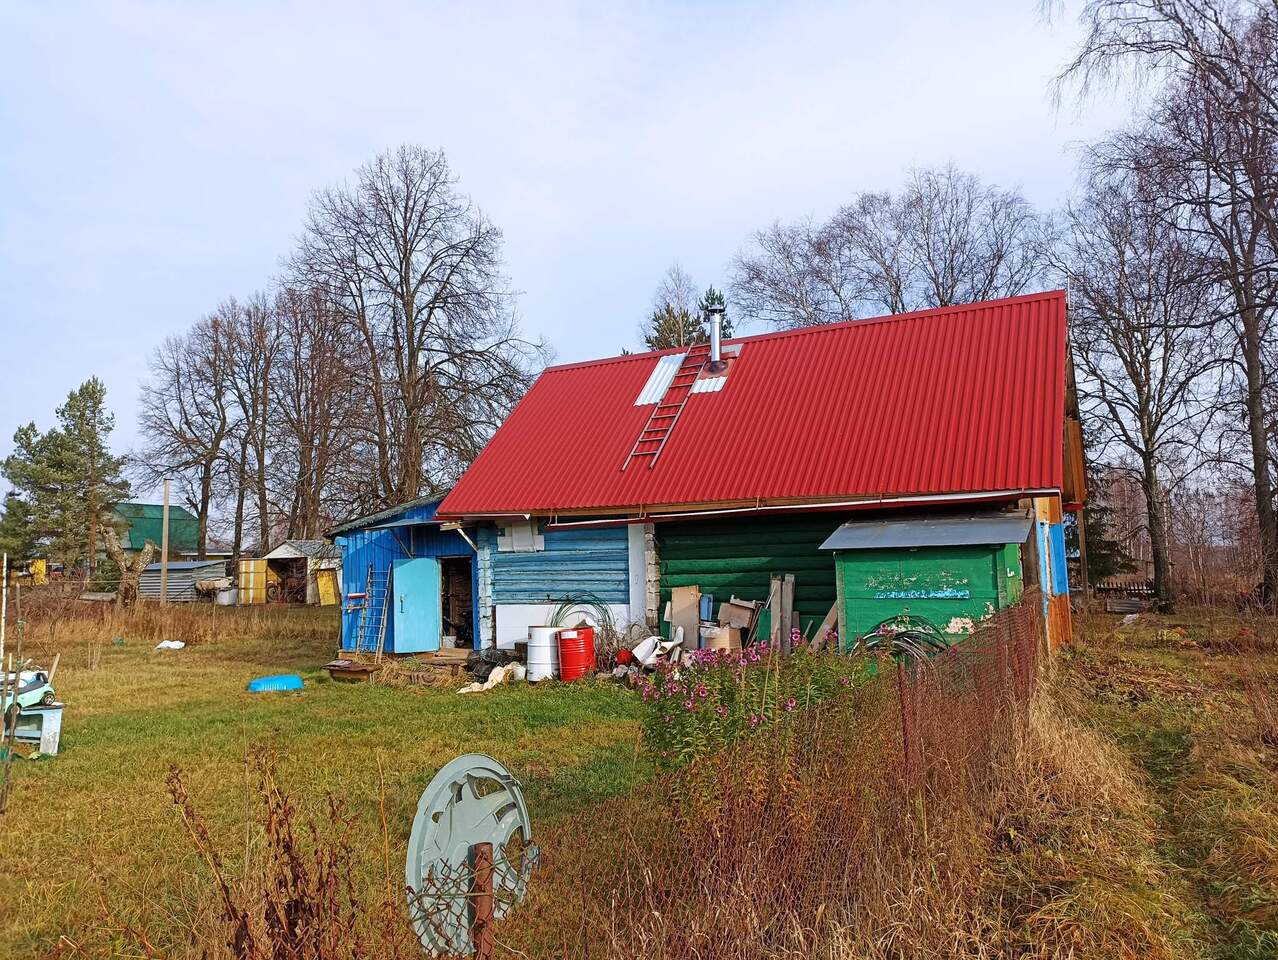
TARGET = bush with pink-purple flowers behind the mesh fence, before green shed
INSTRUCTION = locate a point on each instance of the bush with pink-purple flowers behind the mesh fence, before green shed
(715, 697)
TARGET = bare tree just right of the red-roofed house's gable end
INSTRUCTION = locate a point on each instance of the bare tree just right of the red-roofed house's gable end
(1139, 339)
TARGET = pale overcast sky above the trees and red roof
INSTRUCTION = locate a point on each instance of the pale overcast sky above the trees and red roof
(157, 158)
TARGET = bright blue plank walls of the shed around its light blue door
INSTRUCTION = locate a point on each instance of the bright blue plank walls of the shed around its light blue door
(381, 549)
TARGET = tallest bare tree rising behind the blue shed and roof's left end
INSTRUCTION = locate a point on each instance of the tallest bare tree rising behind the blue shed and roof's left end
(416, 270)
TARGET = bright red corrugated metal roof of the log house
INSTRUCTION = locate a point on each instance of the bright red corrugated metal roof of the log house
(954, 401)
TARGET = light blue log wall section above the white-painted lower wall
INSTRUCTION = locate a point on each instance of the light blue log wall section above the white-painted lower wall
(574, 562)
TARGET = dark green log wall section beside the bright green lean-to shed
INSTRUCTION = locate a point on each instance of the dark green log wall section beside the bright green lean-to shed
(741, 557)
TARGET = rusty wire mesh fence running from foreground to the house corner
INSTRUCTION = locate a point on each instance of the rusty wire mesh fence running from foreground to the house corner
(828, 811)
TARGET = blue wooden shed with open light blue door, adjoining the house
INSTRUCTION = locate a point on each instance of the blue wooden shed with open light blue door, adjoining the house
(408, 585)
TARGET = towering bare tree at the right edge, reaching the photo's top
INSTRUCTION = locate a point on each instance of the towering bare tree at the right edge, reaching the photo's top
(1212, 140)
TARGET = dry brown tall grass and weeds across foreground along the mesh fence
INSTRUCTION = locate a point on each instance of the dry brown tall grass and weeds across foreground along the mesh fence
(955, 811)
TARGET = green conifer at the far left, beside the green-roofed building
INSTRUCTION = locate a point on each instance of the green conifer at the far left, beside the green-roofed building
(67, 480)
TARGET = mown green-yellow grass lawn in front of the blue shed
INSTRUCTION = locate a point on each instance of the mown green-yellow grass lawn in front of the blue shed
(93, 832)
